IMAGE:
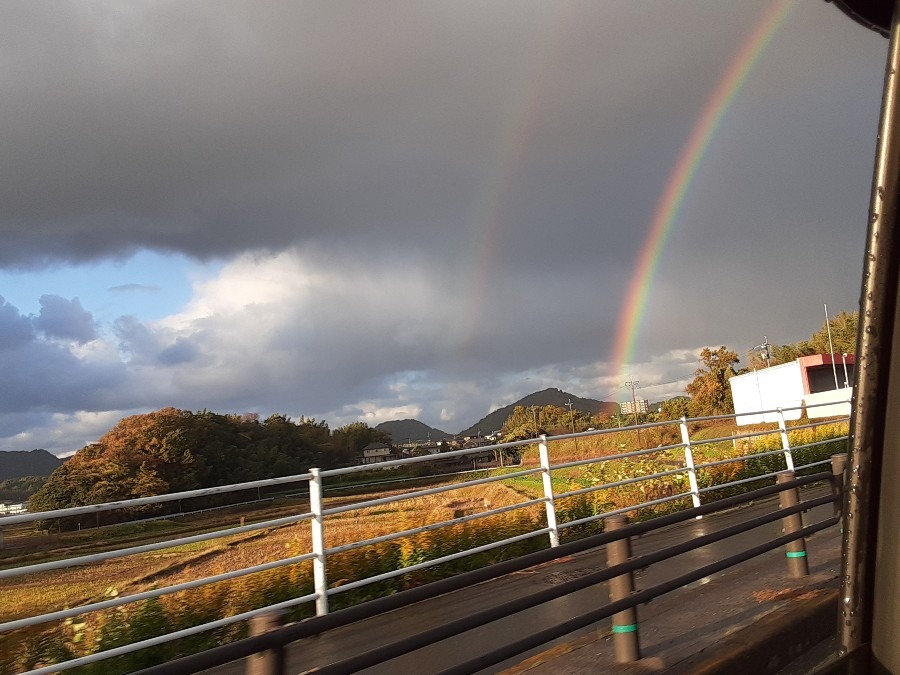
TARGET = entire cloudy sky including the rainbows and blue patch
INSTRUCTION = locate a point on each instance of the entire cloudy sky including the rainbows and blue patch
(356, 211)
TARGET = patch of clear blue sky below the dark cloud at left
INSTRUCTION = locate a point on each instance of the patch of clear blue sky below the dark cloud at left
(147, 285)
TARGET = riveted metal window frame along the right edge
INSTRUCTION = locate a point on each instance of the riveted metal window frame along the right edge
(869, 417)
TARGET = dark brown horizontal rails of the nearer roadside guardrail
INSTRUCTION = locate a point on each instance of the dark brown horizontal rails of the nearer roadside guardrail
(277, 639)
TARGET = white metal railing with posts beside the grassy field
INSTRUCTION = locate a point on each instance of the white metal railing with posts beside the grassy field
(319, 512)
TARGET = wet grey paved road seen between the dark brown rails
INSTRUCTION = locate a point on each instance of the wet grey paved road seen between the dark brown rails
(351, 640)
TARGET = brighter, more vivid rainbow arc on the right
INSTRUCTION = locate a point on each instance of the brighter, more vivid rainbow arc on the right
(680, 179)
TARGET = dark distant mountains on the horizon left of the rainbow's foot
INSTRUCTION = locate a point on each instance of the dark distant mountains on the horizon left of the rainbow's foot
(404, 430)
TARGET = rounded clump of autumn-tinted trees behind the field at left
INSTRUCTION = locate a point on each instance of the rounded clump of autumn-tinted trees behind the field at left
(173, 450)
